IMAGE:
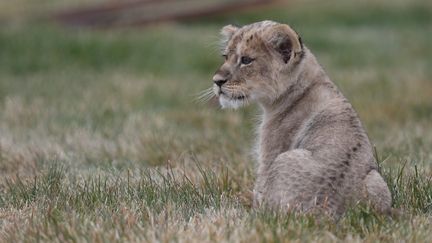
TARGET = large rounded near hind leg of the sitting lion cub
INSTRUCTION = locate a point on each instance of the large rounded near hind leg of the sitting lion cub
(295, 180)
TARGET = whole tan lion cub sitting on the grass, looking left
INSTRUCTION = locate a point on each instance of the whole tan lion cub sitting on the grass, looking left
(313, 152)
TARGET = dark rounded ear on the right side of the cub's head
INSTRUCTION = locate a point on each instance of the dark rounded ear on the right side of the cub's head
(285, 41)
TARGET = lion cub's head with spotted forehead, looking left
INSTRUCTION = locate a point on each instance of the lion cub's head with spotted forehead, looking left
(258, 59)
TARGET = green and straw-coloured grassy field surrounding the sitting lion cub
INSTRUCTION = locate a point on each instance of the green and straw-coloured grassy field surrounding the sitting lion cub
(101, 138)
